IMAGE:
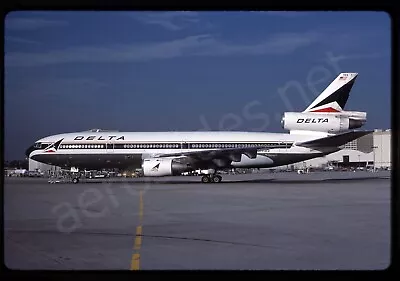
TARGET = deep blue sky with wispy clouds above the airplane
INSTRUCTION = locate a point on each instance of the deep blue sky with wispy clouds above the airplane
(159, 71)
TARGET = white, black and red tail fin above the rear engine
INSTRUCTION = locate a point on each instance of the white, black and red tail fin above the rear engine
(334, 97)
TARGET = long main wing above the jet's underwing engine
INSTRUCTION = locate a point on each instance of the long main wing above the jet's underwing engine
(209, 154)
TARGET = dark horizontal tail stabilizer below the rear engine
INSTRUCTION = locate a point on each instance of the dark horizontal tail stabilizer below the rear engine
(334, 141)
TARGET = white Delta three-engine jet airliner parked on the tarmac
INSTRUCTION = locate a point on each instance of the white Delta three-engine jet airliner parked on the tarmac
(321, 129)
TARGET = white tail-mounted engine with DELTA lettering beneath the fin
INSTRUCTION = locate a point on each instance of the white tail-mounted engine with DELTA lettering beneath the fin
(323, 122)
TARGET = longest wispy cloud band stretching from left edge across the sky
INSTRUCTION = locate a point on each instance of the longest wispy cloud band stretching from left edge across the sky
(199, 45)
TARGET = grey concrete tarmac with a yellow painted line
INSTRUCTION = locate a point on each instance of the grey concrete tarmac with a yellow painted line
(329, 220)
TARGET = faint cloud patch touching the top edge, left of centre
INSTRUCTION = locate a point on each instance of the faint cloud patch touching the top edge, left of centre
(169, 20)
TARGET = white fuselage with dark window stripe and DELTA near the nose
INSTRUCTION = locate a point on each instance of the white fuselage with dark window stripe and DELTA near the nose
(128, 149)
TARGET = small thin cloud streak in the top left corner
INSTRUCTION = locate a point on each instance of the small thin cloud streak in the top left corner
(32, 23)
